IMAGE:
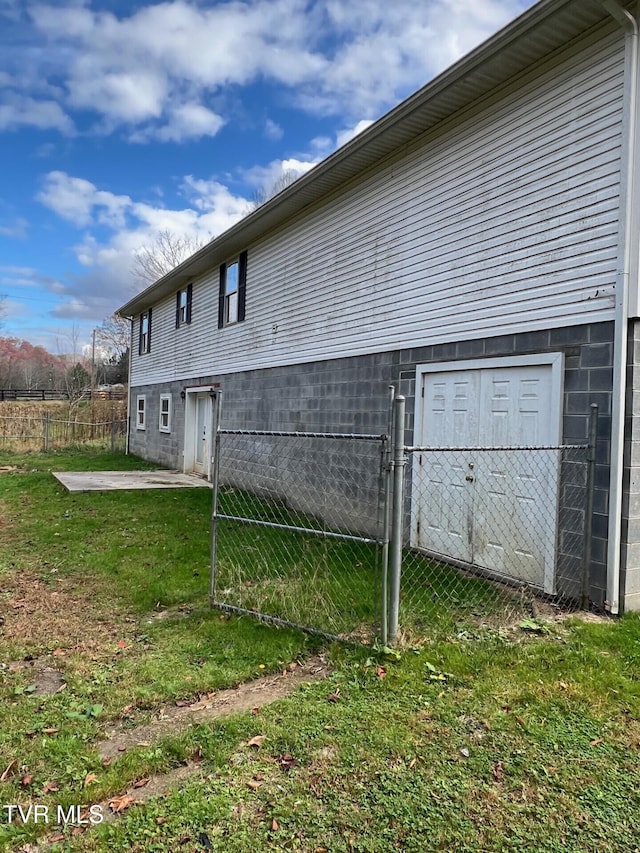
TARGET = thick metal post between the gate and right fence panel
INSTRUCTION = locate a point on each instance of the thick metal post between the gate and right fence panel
(397, 517)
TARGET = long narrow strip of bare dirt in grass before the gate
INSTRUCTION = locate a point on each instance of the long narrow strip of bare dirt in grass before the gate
(252, 694)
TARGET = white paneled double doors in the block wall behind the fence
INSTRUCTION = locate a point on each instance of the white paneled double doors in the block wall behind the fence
(494, 509)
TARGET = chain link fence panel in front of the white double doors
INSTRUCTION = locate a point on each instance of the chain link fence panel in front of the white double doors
(492, 532)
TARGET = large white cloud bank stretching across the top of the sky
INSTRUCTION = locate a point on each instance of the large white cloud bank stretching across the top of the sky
(155, 70)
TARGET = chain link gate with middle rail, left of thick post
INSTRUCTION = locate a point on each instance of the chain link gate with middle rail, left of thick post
(298, 528)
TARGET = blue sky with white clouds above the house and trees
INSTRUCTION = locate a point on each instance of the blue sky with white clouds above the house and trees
(119, 120)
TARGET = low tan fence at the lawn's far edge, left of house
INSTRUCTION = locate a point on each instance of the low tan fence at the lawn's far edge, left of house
(47, 432)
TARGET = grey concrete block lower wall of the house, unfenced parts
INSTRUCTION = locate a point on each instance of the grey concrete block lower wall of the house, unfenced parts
(352, 395)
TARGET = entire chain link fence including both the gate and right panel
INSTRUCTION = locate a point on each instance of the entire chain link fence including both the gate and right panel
(361, 537)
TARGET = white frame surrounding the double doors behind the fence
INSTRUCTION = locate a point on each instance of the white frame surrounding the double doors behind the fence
(553, 359)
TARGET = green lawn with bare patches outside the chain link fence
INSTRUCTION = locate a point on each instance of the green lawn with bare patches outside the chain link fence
(480, 737)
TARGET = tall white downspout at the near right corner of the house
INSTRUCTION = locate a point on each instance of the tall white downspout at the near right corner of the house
(627, 181)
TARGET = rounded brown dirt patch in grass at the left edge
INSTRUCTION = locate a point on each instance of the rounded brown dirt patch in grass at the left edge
(53, 616)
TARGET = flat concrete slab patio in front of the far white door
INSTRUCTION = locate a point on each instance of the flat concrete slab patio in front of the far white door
(108, 481)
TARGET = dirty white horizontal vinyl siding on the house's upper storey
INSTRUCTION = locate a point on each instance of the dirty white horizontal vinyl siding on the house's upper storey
(506, 221)
